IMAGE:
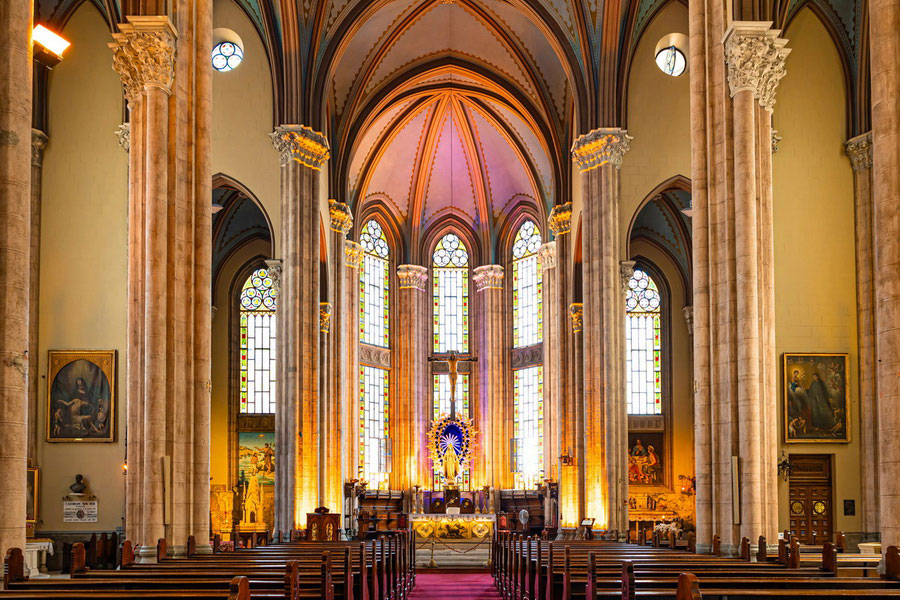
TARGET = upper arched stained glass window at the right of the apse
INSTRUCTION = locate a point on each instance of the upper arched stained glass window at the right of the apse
(527, 297)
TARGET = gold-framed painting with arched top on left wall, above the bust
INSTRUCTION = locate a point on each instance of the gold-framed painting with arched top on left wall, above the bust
(81, 396)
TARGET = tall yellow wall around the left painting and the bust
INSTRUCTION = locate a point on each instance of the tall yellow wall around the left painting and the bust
(83, 258)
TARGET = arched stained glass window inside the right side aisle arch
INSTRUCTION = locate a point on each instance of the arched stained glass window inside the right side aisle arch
(643, 347)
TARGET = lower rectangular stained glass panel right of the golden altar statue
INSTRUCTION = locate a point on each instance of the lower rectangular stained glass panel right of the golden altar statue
(528, 416)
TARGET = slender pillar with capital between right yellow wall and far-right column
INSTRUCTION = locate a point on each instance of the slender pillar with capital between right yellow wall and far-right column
(859, 150)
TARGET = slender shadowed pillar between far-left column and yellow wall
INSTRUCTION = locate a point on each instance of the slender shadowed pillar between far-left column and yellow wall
(38, 143)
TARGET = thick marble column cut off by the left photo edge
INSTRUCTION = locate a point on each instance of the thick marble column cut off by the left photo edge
(15, 217)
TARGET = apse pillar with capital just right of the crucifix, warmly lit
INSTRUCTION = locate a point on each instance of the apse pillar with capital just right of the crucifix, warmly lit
(492, 409)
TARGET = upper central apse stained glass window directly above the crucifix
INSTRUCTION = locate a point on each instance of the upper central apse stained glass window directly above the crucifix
(451, 295)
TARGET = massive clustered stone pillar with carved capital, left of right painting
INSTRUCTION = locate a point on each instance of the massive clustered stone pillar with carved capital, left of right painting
(732, 93)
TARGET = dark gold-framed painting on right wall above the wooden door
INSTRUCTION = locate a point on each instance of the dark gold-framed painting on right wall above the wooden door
(816, 400)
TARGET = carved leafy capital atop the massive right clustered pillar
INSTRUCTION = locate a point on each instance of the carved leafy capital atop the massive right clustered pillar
(754, 56)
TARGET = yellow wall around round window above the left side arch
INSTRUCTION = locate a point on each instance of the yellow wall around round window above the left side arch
(242, 116)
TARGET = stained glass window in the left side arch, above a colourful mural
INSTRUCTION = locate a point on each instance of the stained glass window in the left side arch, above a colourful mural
(257, 351)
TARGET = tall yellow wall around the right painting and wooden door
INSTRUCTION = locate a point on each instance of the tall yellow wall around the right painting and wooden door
(815, 280)
